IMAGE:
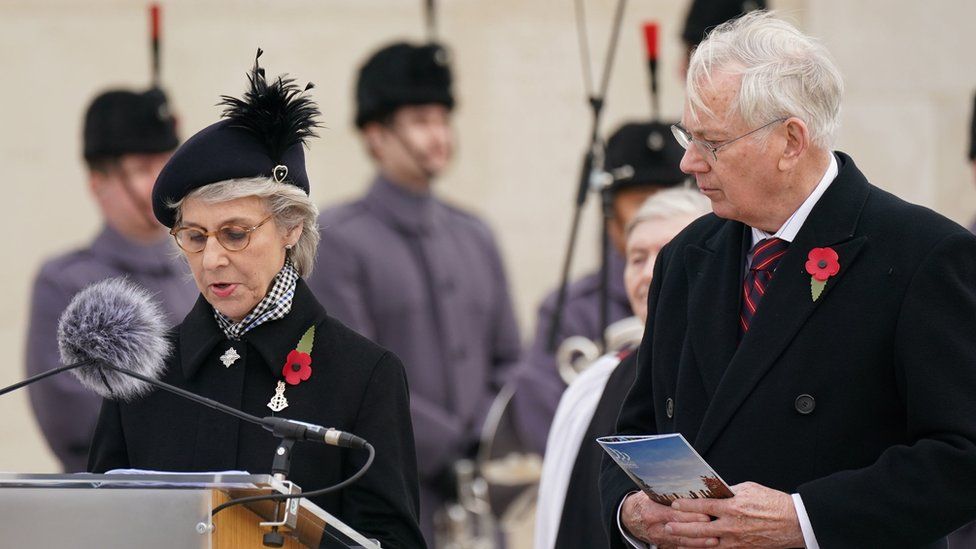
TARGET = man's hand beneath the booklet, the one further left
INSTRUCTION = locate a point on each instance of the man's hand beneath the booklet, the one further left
(644, 519)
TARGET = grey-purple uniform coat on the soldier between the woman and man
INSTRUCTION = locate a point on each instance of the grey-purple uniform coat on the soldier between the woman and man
(424, 280)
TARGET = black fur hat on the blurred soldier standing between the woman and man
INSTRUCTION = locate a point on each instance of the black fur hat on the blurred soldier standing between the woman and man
(402, 74)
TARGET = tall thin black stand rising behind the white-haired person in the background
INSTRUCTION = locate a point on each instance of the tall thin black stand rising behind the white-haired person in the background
(591, 178)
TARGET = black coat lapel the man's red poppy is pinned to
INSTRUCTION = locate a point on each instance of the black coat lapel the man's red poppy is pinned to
(788, 303)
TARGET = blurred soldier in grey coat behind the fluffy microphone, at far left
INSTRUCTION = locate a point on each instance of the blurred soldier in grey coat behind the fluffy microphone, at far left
(128, 137)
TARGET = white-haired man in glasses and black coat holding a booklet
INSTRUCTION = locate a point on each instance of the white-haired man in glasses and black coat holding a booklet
(813, 339)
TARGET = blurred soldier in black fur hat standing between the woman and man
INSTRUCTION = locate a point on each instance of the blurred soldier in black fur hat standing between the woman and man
(418, 276)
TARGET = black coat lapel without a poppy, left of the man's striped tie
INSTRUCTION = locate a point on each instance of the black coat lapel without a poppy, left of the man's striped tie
(715, 274)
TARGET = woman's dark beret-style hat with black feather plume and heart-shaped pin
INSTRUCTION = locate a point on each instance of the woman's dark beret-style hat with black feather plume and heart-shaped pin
(262, 135)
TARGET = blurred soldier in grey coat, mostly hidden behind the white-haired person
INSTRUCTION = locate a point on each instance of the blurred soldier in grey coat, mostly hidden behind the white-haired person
(642, 158)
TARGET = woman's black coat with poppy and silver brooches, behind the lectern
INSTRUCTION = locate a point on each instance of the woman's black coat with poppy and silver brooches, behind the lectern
(355, 386)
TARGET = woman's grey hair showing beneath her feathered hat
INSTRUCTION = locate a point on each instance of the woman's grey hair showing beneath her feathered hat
(289, 205)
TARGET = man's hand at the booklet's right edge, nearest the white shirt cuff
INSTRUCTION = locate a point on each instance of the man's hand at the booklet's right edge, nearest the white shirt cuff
(756, 517)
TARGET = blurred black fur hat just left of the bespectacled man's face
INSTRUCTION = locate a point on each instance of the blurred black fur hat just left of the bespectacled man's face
(644, 154)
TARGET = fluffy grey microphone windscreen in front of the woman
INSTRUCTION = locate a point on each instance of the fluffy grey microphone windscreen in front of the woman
(114, 322)
